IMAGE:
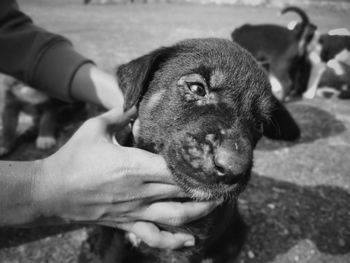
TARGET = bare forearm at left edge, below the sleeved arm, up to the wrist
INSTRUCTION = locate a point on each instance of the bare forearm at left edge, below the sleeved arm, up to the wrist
(16, 185)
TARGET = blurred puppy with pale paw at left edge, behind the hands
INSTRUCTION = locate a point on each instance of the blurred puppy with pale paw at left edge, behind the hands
(44, 110)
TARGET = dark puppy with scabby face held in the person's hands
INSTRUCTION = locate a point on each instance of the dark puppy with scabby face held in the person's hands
(203, 105)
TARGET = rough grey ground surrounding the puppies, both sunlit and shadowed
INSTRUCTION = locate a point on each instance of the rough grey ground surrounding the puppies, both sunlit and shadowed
(297, 206)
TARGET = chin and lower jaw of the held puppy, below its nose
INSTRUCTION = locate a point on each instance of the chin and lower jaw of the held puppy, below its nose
(214, 191)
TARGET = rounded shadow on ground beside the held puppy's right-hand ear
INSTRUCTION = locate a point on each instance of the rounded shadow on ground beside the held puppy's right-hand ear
(314, 123)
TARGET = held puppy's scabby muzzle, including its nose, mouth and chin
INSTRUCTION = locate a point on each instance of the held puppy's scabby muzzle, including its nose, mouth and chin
(210, 169)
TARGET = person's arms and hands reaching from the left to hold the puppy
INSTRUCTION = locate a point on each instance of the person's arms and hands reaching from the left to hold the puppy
(89, 179)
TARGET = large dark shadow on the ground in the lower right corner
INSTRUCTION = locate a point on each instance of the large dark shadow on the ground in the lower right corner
(281, 214)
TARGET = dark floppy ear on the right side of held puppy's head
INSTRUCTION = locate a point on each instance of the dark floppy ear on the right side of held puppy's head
(282, 125)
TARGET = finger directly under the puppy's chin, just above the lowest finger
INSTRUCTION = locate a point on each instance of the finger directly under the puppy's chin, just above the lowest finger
(176, 213)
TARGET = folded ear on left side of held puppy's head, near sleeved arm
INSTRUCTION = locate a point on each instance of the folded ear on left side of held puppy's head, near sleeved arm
(135, 76)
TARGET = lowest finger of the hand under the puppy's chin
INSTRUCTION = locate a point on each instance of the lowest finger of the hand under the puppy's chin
(154, 237)
